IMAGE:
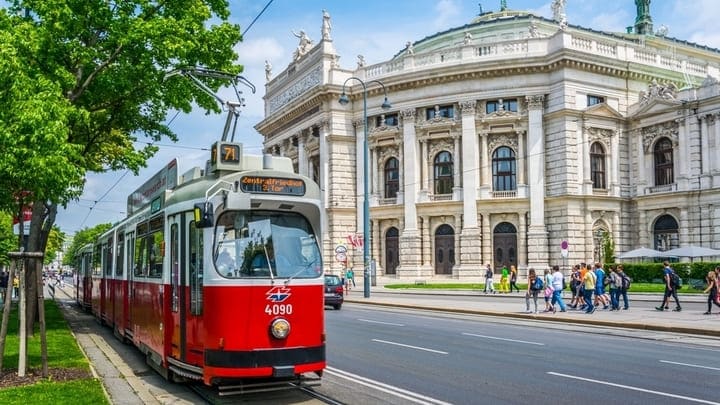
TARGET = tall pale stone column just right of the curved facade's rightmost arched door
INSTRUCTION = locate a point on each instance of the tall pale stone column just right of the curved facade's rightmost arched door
(537, 233)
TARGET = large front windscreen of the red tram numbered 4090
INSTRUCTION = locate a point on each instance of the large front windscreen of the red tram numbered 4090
(265, 244)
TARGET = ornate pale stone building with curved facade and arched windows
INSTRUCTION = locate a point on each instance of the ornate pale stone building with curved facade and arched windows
(506, 137)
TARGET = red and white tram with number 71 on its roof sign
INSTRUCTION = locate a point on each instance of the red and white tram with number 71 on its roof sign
(216, 276)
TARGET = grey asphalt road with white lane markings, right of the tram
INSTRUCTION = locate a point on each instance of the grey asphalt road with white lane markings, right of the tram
(416, 357)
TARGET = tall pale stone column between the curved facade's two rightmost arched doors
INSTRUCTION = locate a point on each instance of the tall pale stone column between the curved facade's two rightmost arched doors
(469, 235)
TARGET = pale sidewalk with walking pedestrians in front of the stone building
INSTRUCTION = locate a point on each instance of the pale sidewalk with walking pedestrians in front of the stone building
(512, 305)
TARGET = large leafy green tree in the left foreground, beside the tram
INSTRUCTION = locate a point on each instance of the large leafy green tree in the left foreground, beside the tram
(81, 80)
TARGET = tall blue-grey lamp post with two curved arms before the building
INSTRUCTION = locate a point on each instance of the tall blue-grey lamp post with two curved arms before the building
(344, 100)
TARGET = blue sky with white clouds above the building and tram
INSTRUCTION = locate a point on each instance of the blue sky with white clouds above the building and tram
(375, 29)
